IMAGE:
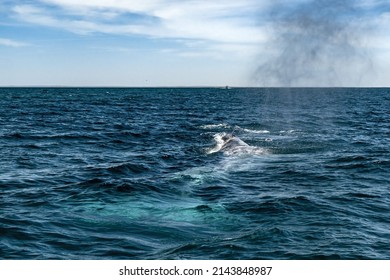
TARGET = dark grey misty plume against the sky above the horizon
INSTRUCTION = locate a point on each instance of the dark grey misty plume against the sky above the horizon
(315, 43)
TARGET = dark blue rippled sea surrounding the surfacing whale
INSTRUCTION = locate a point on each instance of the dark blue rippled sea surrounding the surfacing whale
(142, 174)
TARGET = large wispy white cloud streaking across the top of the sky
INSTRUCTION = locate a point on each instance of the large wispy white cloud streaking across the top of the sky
(228, 21)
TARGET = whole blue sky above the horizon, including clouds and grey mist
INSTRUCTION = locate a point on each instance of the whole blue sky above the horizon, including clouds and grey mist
(195, 43)
